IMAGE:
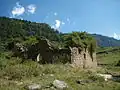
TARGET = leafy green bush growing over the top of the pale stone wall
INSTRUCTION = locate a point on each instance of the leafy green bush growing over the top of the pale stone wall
(80, 40)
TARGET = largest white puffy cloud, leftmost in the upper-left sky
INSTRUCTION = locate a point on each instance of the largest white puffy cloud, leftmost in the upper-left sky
(18, 10)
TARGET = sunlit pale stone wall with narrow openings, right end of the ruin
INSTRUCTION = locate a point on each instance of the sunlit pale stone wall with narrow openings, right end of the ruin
(83, 58)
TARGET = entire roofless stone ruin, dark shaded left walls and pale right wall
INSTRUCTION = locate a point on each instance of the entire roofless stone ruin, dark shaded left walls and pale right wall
(48, 54)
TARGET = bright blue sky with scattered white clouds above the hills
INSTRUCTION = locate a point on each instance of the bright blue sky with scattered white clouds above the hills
(93, 16)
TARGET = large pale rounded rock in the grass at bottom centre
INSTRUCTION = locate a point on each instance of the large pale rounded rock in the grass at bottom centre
(60, 84)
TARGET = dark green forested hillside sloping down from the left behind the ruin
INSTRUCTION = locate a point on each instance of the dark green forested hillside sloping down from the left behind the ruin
(13, 29)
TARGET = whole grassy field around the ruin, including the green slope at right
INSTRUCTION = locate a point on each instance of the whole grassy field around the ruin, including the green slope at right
(14, 75)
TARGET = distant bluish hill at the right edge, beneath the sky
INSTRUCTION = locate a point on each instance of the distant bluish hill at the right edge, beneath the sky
(105, 41)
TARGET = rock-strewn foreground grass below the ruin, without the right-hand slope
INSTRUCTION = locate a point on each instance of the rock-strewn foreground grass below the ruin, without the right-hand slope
(15, 77)
